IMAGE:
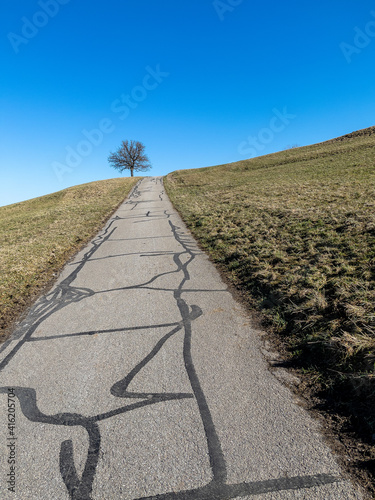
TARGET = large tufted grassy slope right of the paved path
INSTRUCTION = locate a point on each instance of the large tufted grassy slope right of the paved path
(295, 232)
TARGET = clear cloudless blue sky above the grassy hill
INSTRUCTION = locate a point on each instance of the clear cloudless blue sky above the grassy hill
(199, 82)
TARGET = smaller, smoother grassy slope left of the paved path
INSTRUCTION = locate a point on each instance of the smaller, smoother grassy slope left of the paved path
(38, 236)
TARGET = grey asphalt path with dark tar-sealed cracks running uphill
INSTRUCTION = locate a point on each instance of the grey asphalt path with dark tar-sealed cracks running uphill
(138, 376)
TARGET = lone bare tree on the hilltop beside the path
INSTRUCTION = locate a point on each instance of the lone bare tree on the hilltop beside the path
(130, 155)
